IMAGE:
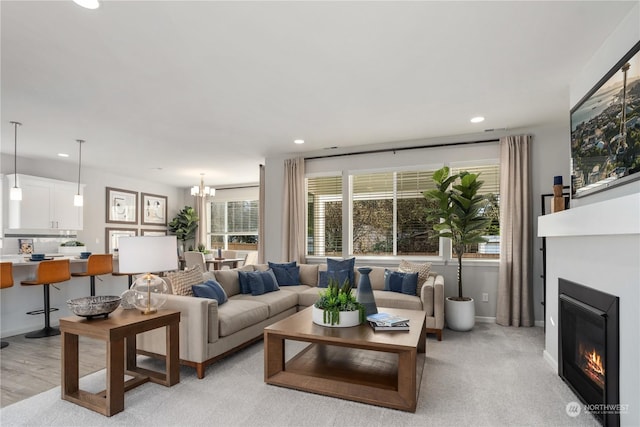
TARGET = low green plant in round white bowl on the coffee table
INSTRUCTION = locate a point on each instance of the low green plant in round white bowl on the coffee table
(337, 306)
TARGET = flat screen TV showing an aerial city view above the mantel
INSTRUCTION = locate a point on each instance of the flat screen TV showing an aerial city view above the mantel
(605, 130)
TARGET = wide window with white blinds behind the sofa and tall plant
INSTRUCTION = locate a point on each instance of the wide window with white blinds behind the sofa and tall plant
(386, 214)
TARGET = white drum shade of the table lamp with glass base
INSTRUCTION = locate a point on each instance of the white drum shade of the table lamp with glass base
(146, 254)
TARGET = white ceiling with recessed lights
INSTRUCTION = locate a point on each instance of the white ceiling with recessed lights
(215, 87)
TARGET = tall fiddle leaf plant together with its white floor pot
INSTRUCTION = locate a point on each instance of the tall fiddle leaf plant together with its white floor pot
(457, 215)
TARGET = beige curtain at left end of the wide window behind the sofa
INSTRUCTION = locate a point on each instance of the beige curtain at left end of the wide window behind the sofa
(293, 215)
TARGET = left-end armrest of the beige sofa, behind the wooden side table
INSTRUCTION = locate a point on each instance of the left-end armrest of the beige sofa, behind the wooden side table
(198, 326)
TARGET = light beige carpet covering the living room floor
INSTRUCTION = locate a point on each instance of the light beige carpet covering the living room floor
(491, 376)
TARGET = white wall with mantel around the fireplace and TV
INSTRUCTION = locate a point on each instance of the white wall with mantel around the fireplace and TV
(610, 263)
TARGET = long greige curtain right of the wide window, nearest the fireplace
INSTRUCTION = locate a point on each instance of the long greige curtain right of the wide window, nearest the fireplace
(515, 294)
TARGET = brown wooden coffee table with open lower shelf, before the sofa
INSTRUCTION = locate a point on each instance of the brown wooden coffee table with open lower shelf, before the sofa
(379, 368)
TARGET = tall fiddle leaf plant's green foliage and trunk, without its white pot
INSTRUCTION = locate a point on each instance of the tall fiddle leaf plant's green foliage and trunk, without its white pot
(460, 207)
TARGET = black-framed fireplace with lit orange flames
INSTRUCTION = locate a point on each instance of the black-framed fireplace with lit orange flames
(588, 348)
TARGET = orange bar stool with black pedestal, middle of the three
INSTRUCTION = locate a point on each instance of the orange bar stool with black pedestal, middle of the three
(49, 272)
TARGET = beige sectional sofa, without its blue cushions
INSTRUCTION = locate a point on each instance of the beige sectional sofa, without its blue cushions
(209, 331)
